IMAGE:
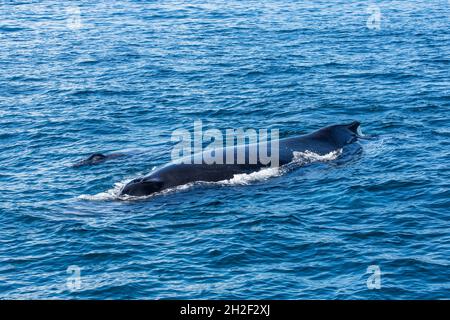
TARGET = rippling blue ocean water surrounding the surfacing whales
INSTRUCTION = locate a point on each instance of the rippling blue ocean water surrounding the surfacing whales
(119, 76)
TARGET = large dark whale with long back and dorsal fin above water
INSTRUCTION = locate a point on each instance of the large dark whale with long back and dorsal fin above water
(196, 169)
